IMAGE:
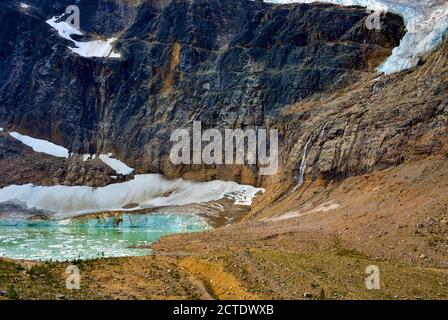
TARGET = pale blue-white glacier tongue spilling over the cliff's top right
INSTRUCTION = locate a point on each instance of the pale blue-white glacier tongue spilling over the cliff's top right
(426, 23)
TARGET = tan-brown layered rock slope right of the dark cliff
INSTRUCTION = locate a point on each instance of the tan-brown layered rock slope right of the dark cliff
(374, 124)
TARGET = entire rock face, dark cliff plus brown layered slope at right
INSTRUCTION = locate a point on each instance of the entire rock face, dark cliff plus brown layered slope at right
(229, 64)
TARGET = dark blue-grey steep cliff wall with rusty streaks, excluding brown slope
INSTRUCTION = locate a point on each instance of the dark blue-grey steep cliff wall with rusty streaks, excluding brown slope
(227, 63)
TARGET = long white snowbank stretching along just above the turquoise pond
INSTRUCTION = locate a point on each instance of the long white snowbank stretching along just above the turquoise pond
(148, 190)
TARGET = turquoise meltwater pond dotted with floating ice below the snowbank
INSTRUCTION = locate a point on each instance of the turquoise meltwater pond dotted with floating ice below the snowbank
(72, 239)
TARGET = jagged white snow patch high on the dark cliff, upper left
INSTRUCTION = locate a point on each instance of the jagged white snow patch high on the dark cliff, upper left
(95, 48)
